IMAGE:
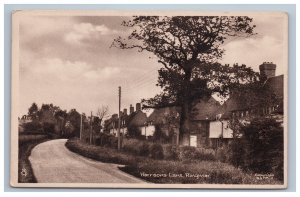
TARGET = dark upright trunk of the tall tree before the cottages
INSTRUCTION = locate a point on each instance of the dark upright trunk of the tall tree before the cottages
(184, 128)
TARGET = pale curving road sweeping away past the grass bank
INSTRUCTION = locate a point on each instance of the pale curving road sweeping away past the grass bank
(52, 162)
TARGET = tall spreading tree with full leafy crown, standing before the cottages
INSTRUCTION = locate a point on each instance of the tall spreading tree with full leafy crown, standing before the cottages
(188, 48)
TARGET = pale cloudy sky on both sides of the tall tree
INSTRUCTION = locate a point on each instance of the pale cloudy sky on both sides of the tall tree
(68, 61)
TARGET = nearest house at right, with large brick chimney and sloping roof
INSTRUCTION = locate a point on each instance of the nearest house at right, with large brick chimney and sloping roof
(239, 106)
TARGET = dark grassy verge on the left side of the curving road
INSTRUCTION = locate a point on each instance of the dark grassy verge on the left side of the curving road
(26, 143)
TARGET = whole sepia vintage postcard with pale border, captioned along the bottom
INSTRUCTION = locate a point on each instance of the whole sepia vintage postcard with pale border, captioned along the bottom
(160, 99)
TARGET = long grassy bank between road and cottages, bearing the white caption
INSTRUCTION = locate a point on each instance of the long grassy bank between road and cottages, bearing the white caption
(168, 171)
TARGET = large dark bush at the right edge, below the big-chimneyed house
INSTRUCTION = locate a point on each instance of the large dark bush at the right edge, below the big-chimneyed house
(260, 149)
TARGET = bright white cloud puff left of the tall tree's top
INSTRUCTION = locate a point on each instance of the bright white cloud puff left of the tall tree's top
(87, 31)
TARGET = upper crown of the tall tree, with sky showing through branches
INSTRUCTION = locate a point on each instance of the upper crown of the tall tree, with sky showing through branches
(183, 41)
